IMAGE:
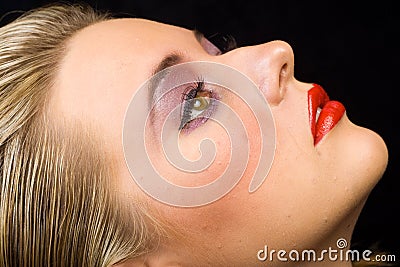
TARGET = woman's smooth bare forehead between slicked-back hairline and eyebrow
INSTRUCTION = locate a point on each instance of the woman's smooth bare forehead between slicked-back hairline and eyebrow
(106, 62)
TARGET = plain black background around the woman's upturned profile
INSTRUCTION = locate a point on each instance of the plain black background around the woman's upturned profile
(349, 48)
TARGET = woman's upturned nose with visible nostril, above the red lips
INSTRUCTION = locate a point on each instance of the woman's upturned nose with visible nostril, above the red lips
(269, 65)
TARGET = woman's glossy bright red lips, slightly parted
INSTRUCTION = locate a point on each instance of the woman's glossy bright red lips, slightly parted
(331, 112)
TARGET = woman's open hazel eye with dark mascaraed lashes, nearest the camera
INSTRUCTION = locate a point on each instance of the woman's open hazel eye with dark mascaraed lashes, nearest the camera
(198, 106)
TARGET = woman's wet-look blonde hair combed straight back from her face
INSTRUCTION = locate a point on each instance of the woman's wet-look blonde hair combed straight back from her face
(56, 207)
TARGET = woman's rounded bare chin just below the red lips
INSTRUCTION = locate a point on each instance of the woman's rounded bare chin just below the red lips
(360, 156)
